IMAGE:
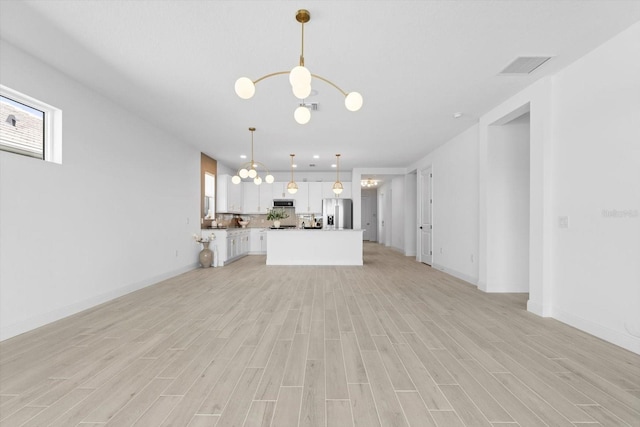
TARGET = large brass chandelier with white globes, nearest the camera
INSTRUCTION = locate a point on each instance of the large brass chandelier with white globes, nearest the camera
(300, 79)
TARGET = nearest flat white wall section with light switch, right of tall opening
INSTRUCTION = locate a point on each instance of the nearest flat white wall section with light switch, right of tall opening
(596, 182)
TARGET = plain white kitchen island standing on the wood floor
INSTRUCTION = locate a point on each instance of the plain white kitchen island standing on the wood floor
(314, 247)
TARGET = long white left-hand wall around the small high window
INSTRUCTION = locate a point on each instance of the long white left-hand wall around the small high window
(115, 216)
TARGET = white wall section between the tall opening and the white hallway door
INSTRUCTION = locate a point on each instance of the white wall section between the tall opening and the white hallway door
(455, 204)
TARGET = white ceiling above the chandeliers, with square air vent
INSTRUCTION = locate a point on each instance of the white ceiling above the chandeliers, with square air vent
(415, 63)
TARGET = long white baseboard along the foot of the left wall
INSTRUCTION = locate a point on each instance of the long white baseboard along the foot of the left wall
(9, 331)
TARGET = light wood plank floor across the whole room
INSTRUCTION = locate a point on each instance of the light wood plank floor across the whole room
(392, 343)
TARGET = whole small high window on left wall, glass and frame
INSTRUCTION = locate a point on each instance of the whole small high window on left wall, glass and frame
(29, 127)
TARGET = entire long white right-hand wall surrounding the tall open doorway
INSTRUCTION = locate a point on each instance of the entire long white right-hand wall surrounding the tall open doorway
(584, 164)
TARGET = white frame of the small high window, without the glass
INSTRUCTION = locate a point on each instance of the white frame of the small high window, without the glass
(52, 124)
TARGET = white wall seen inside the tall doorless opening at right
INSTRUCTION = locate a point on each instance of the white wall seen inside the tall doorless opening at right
(508, 207)
